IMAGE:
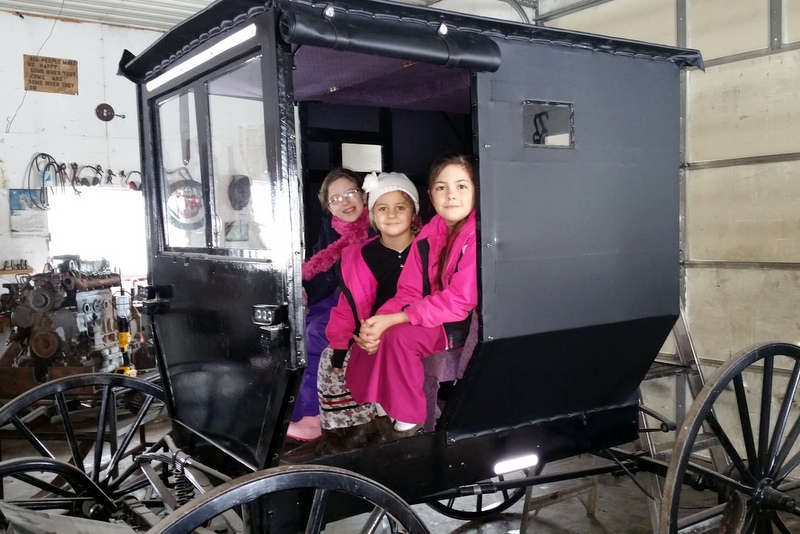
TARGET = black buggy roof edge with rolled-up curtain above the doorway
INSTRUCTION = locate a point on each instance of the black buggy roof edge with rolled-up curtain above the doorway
(416, 27)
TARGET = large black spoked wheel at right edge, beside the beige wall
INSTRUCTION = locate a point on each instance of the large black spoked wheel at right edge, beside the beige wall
(756, 491)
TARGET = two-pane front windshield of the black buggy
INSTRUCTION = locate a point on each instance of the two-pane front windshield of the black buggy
(216, 190)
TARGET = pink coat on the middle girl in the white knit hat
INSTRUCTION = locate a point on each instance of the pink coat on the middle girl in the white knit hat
(362, 285)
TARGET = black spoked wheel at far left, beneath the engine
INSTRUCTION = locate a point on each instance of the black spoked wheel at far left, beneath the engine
(84, 423)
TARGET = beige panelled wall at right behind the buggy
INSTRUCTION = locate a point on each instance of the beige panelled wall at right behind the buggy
(741, 239)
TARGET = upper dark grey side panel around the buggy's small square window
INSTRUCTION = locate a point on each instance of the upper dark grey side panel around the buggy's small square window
(586, 235)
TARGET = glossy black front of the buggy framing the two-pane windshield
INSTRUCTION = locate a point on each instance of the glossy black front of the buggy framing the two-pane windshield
(220, 52)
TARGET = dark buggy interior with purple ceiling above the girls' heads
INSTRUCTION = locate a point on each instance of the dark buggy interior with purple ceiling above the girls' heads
(413, 111)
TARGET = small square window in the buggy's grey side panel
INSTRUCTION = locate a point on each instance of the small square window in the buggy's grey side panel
(547, 124)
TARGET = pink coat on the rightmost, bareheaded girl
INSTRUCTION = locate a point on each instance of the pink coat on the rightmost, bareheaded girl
(460, 292)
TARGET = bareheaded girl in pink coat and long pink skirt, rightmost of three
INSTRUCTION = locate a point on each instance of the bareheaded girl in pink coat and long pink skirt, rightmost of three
(436, 293)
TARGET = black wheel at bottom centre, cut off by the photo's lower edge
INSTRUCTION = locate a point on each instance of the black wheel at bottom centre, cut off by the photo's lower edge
(326, 483)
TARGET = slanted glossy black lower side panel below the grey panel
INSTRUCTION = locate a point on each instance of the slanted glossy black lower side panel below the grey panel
(555, 376)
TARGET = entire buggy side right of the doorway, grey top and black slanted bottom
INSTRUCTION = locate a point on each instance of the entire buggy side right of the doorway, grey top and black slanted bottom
(580, 249)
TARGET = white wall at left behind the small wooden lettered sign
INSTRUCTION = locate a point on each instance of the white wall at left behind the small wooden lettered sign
(64, 126)
